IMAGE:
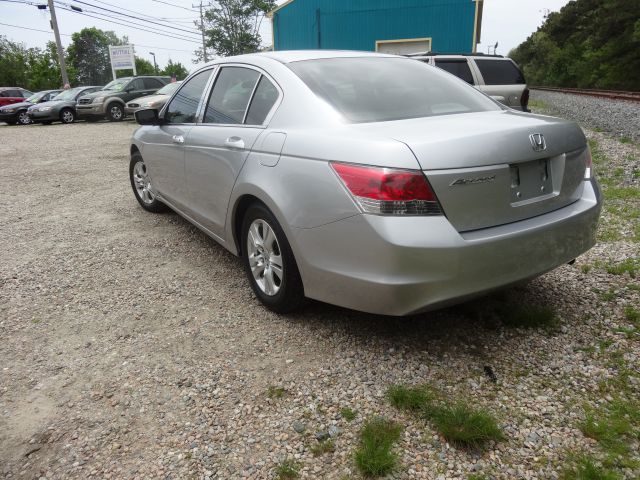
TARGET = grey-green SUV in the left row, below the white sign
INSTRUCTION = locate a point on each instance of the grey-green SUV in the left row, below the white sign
(110, 102)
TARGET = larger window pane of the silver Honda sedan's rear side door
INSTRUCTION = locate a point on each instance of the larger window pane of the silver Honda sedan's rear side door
(230, 95)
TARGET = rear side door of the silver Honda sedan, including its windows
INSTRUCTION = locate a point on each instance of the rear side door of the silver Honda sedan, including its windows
(240, 101)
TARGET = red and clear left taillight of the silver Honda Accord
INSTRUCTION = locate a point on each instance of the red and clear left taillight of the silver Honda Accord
(387, 191)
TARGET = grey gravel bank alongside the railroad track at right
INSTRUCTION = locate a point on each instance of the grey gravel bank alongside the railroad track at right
(619, 117)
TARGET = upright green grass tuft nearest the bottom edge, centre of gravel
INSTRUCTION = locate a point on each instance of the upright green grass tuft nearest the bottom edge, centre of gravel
(374, 456)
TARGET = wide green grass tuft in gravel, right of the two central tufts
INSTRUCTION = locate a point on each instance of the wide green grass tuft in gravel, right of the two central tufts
(466, 427)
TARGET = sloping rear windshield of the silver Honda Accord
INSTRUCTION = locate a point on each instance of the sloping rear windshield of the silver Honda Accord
(384, 89)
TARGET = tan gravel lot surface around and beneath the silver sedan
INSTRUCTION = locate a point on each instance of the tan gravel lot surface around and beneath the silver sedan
(132, 346)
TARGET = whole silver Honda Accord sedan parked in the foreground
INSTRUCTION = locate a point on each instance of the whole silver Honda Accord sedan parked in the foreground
(368, 181)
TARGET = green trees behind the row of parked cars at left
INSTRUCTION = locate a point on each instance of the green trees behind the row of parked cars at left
(87, 59)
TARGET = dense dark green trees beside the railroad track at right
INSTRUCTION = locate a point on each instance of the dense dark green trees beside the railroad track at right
(587, 44)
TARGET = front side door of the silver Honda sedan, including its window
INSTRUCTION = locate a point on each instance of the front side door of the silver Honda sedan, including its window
(164, 144)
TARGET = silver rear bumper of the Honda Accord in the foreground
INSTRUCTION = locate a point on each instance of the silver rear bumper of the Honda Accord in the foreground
(401, 265)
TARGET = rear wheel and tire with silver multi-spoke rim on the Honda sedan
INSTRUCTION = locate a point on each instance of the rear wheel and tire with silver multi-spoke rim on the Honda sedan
(282, 291)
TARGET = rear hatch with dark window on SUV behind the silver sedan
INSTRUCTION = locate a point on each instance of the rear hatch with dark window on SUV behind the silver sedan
(501, 79)
